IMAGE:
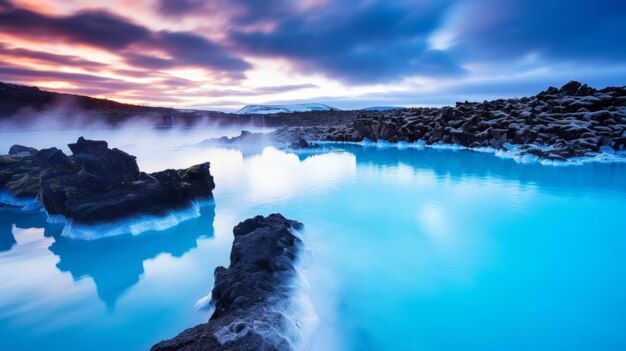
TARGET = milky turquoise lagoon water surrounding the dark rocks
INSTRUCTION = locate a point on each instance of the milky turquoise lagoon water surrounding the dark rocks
(413, 250)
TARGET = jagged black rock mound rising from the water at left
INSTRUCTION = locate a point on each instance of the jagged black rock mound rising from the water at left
(97, 184)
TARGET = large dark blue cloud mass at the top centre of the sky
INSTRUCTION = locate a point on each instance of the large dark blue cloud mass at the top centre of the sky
(355, 42)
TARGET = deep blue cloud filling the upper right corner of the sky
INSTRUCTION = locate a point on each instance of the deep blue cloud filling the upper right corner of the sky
(571, 31)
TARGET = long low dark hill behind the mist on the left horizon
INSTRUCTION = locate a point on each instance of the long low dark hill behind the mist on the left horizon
(31, 107)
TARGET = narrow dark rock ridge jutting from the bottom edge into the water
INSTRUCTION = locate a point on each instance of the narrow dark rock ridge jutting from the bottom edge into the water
(252, 295)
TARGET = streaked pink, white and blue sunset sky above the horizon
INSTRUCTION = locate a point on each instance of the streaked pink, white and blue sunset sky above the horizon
(222, 55)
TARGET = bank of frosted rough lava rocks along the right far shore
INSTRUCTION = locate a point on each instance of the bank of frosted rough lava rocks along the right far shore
(573, 121)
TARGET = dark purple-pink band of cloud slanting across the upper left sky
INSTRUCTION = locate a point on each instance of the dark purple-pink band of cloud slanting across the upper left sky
(118, 35)
